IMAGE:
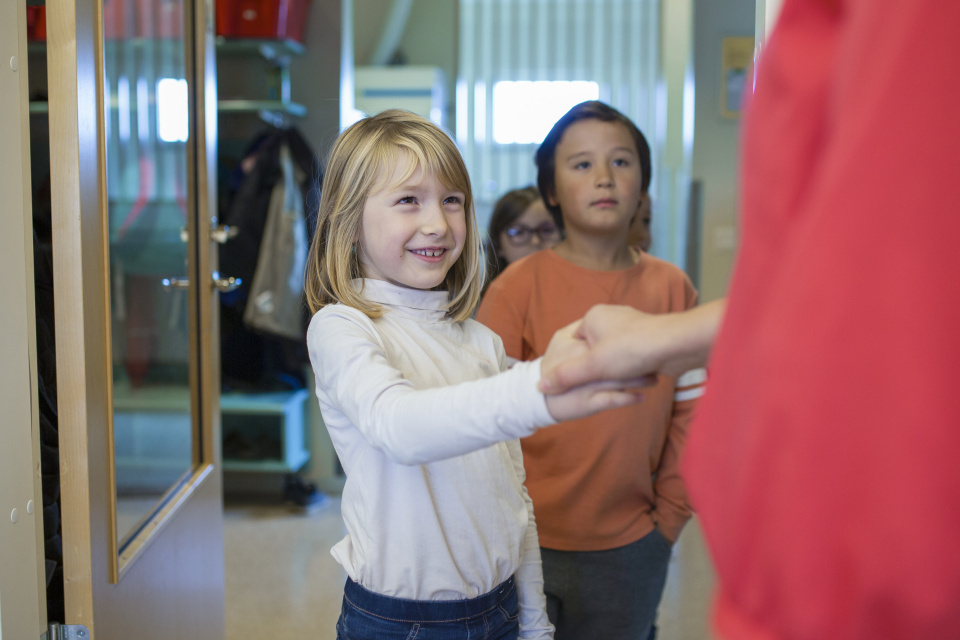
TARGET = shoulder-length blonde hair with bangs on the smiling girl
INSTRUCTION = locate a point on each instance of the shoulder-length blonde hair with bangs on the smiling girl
(363, 158)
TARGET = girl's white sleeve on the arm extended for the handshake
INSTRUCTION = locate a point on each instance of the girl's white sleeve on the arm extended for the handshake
(416, 426)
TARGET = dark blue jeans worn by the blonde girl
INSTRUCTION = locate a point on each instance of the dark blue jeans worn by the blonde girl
(370, 616)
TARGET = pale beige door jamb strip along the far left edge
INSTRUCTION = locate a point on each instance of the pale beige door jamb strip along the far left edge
(23, 610)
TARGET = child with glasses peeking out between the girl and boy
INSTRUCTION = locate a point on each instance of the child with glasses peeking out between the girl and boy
(520, 225)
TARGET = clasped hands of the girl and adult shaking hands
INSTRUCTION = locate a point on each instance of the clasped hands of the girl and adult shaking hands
(603, 361)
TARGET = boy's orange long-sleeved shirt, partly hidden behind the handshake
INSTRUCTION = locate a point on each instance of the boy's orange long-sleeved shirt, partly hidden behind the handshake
(605, 481)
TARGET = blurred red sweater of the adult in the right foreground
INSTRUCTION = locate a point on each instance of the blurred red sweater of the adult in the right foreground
(825, 462)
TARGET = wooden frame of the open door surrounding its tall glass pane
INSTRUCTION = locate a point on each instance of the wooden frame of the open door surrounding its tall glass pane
(93, 572)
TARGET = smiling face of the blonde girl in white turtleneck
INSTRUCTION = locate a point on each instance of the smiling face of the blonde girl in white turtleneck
(413, 230)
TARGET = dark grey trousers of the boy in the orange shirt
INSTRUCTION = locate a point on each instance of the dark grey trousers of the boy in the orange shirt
(612, 594)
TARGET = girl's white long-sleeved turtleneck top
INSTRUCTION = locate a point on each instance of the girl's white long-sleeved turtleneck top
(425, 417)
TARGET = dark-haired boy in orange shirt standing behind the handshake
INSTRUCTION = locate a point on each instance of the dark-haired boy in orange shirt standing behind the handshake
(608, 496)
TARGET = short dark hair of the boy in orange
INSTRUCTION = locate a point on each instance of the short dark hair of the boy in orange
(590, 110)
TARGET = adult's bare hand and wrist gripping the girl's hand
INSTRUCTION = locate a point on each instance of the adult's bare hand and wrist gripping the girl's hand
(625, 344)
